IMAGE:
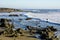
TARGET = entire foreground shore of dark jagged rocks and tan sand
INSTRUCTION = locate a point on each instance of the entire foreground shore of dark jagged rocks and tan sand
(7, 31)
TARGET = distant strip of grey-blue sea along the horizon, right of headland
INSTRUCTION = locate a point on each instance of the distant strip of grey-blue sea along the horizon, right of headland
(43, 10)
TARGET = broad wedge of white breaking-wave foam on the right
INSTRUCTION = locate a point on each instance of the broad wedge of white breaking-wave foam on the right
(52, 17)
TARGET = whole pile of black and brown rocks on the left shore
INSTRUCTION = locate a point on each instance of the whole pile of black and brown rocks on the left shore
(8, 28)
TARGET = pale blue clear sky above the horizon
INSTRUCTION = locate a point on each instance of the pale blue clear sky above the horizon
(30, 4)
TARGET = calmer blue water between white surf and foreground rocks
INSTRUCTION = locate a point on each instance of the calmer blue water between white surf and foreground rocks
(23, 23)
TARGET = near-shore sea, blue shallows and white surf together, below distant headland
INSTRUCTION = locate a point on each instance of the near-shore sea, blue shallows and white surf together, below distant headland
(37, 20)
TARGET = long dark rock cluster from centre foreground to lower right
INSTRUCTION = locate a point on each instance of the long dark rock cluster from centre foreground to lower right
(47, 33)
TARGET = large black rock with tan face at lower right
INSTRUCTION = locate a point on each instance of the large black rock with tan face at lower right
(48, 33)
